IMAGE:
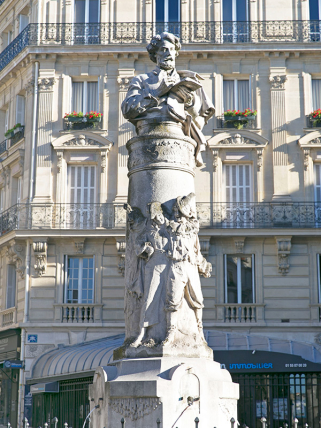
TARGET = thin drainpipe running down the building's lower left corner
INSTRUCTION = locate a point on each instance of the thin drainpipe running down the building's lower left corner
(21, 392)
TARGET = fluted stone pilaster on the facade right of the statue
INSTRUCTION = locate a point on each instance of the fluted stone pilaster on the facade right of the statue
(279, 140)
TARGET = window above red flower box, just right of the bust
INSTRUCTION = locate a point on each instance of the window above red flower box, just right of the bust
(236, 95)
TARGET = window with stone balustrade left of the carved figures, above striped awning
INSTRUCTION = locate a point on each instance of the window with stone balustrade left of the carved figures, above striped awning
(79, 280)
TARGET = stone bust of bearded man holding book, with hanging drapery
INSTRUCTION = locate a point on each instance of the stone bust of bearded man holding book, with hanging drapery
(166, 94)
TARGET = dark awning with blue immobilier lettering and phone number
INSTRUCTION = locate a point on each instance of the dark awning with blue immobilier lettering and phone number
(263, 361)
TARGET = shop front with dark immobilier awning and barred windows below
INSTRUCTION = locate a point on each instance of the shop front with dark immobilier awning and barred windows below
(277, 386)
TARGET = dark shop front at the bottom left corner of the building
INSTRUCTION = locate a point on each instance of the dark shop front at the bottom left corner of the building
(9, 376)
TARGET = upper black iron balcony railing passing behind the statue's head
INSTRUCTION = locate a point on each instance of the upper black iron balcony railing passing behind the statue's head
(141, 32)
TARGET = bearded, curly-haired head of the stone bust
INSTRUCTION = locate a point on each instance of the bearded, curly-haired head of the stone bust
(163, 49)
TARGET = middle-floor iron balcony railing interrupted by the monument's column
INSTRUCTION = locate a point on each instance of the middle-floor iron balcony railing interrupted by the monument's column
(210, 215)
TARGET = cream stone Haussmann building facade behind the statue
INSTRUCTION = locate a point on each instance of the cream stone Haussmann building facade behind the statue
(63, 183)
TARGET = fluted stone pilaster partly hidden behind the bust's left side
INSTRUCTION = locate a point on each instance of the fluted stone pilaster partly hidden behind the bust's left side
(125, 133)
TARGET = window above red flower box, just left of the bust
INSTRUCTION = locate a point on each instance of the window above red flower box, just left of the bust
(84, 96)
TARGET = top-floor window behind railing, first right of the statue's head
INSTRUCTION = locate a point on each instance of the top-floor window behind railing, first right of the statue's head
(235, 17)
